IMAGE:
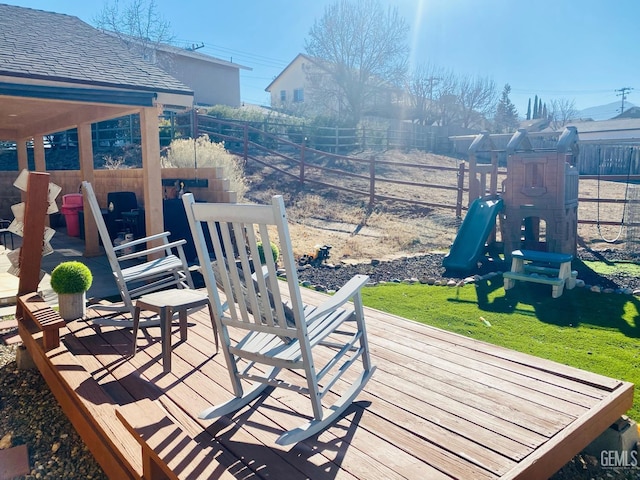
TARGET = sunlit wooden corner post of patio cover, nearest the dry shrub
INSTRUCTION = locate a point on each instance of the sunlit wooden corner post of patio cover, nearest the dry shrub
(152, 177)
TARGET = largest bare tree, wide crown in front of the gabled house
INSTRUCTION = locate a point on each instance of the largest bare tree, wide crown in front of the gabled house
(363, 48)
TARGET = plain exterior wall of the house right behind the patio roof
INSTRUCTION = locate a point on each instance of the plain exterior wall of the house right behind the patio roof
(212, 84)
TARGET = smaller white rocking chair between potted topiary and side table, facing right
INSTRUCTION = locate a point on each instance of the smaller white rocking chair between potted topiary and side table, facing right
(144, 276)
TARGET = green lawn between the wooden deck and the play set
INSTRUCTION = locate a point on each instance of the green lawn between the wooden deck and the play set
(587, 330)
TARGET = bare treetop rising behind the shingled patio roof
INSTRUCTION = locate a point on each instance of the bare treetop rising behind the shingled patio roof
(138, 24)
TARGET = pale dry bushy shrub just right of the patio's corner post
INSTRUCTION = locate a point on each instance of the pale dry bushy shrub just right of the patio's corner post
(189, 153)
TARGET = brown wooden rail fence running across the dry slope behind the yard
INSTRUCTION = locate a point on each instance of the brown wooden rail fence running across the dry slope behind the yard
(310, 166)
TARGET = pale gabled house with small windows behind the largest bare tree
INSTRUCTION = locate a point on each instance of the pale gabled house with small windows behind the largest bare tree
(305, 86)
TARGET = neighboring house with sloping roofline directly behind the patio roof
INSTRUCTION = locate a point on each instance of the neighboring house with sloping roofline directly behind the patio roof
(213, 81)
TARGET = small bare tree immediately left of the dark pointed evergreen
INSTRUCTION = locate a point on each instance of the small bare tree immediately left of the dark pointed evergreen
(476, 98)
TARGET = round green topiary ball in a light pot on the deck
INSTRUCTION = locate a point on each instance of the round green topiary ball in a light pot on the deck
(71, 280)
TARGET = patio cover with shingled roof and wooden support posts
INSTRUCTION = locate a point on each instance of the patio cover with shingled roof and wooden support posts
(57, 72)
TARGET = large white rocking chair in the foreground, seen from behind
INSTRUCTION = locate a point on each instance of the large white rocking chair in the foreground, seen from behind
(275, 336)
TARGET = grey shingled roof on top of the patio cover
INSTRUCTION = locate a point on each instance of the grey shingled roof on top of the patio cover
(50, 46)
